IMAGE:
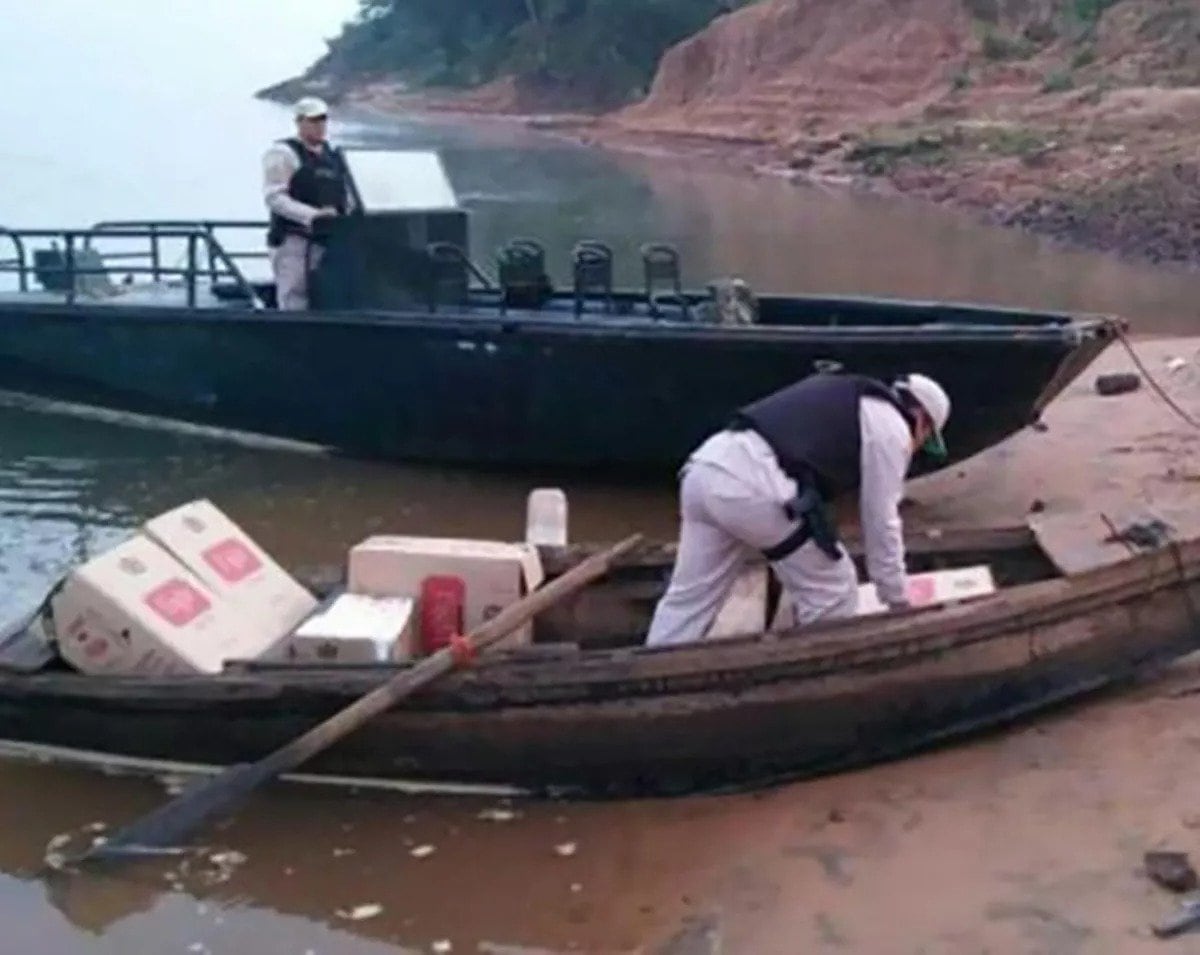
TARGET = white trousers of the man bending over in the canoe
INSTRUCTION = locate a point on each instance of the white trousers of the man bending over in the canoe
(728, 518)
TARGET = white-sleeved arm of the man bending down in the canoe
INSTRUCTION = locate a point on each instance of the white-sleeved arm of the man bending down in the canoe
(887, 453)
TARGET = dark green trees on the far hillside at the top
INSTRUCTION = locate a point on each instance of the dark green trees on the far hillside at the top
(605, 51)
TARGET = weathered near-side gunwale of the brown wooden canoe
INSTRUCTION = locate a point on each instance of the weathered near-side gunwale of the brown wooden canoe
(562, 676)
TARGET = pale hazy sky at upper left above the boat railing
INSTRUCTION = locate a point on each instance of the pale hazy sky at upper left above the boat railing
(129, 109)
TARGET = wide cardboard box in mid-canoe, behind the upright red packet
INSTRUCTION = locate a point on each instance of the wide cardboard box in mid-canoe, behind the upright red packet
(495, 574)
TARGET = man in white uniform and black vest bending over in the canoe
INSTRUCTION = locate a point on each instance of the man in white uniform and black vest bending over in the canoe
(764, 485)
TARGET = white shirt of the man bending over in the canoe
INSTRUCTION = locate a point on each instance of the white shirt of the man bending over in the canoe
(885, 460)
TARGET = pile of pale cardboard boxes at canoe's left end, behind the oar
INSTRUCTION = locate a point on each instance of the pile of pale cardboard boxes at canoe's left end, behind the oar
(191, 592)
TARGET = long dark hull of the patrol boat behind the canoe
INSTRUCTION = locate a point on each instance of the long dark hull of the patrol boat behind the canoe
(476, 388)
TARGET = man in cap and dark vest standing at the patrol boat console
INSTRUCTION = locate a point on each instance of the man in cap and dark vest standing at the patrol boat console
(305, 183)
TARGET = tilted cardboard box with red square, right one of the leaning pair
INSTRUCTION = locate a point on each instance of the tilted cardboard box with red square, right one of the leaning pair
(231, 564)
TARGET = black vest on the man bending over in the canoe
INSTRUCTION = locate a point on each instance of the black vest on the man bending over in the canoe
(813, 428)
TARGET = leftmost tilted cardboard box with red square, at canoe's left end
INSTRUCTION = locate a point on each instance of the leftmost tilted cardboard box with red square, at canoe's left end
(137, 610)
